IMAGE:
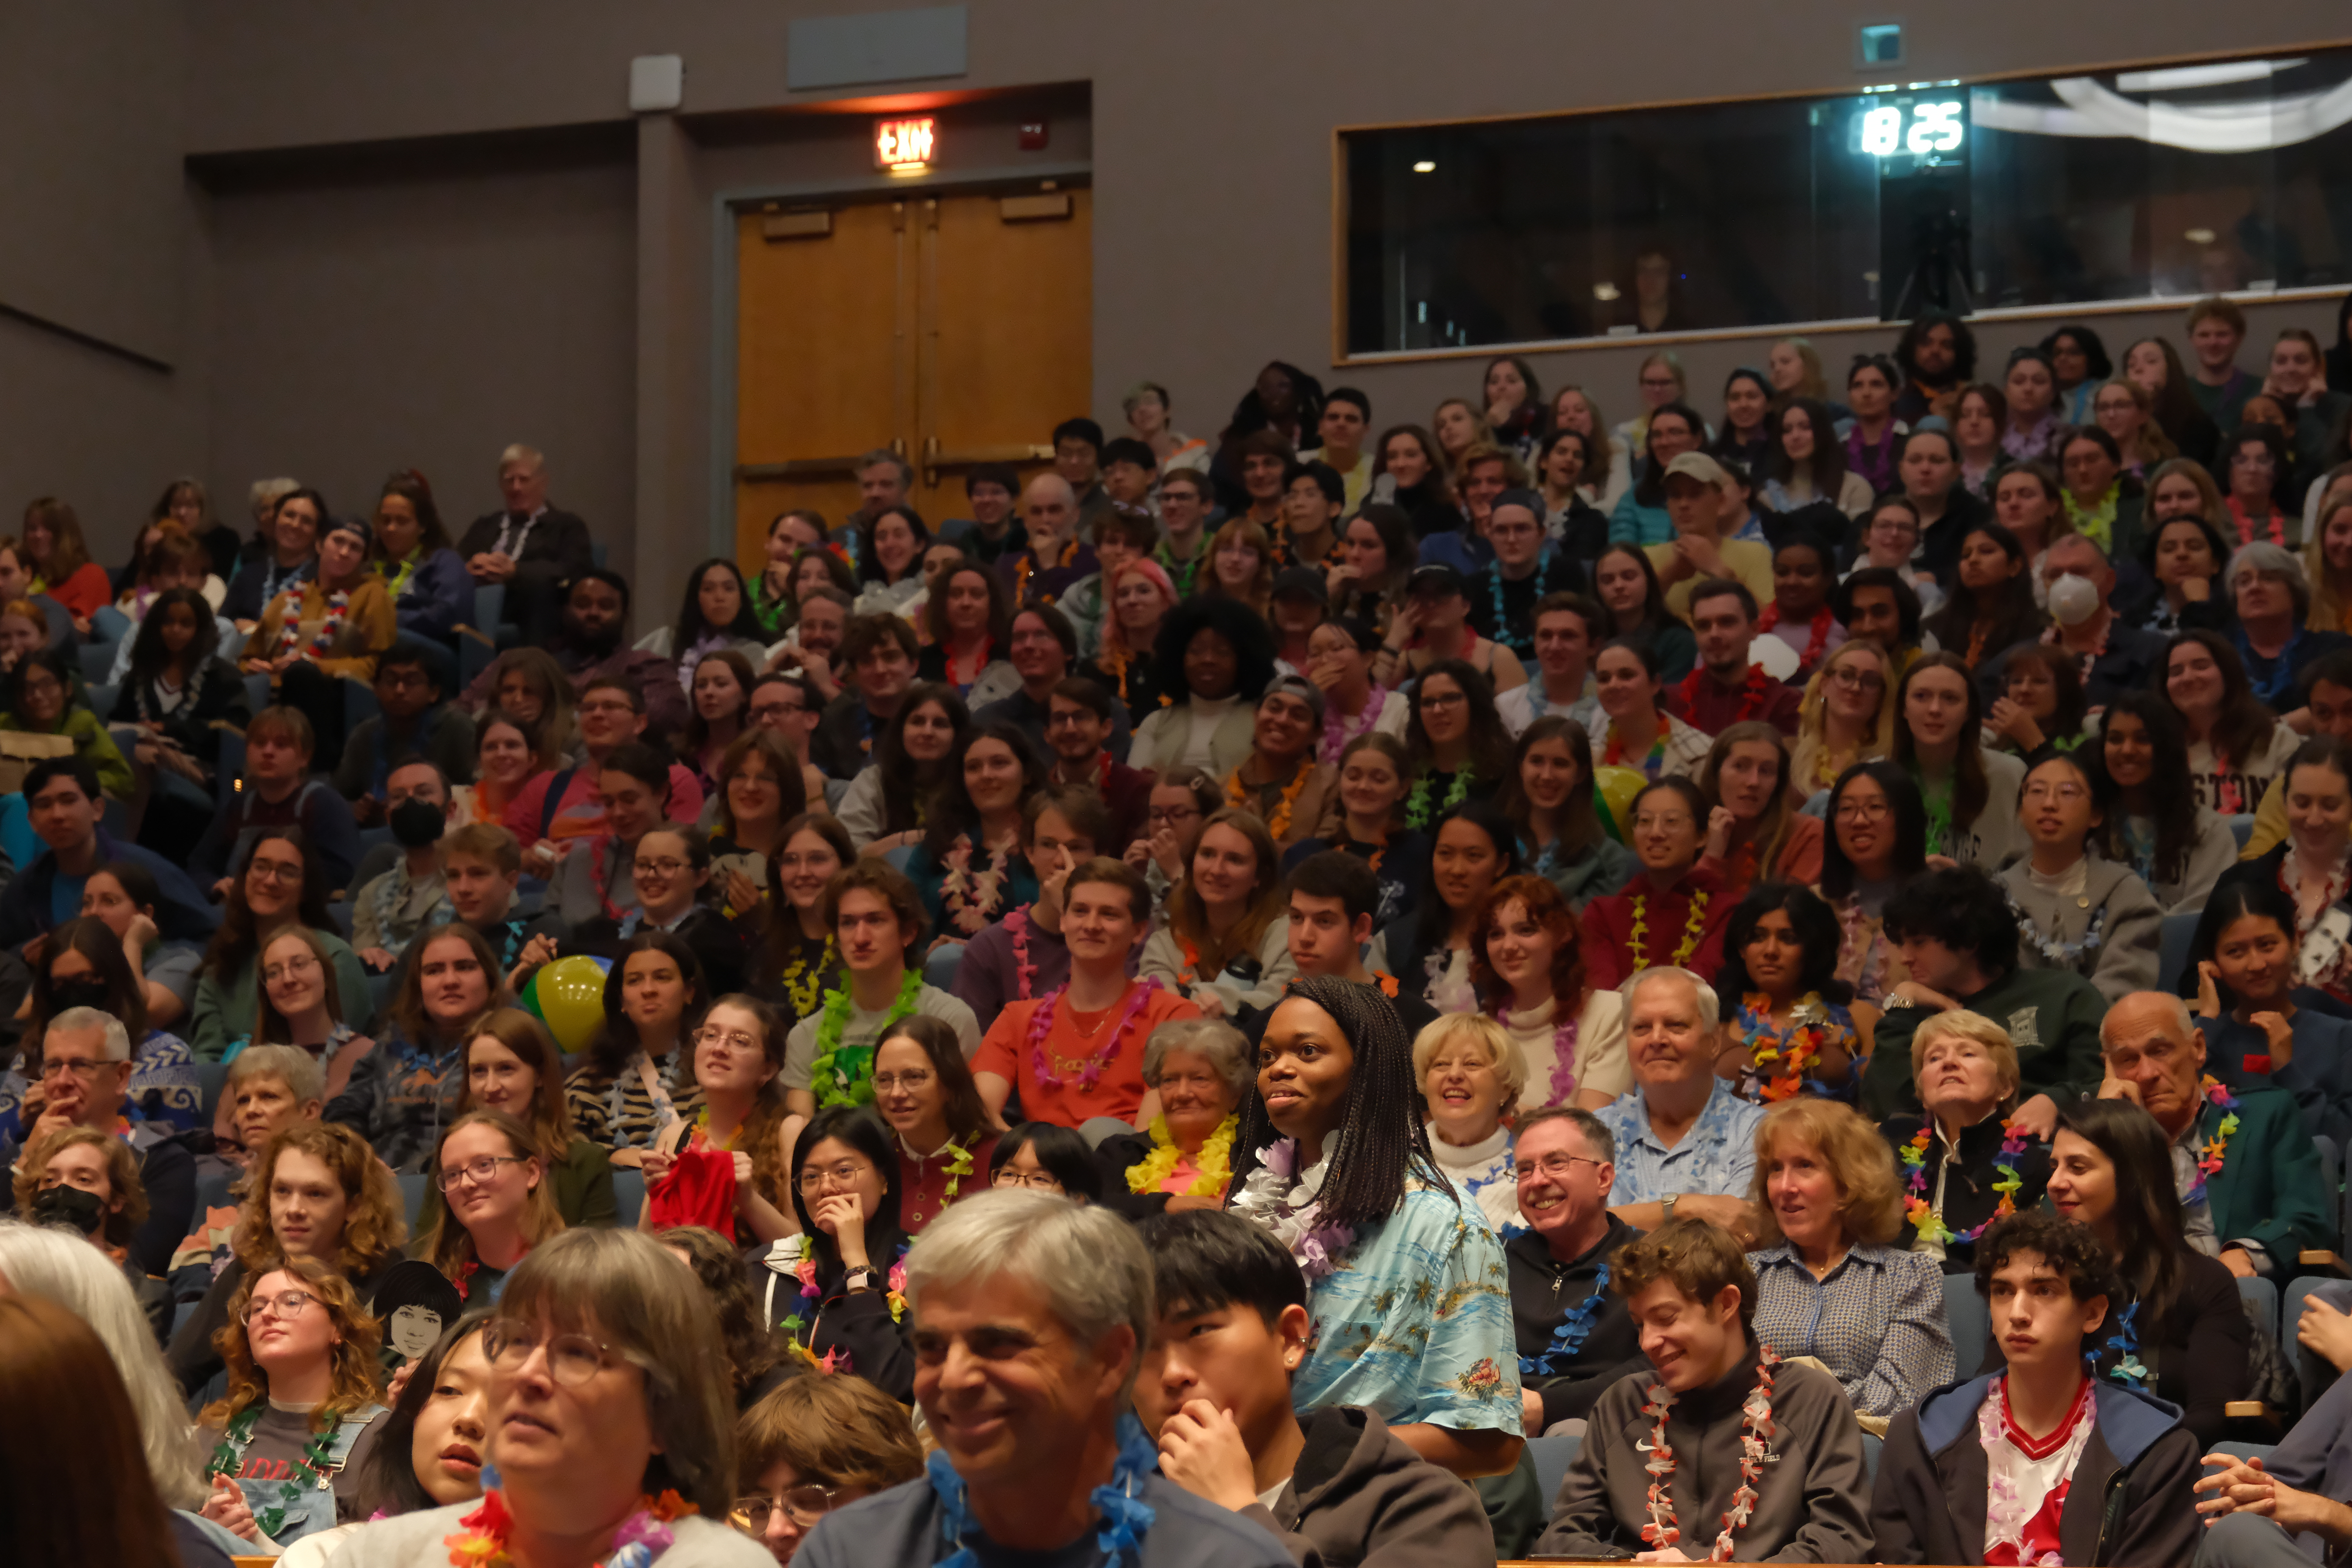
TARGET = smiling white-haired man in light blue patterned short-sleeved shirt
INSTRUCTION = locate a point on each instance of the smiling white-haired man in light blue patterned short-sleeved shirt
(1685, 1144)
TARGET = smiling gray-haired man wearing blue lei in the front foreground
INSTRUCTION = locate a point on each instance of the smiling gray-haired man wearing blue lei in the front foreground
(1031, 1320)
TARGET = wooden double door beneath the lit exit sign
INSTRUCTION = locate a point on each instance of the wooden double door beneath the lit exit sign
(954, 330)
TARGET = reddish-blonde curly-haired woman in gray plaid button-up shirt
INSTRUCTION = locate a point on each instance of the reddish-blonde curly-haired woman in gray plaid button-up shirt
(1829, 1280)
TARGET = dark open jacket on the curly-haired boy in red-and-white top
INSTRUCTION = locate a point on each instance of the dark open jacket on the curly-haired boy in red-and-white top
(2130, 1499)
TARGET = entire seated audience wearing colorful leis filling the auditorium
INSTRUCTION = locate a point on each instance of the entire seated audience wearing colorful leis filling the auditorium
(1749, 989)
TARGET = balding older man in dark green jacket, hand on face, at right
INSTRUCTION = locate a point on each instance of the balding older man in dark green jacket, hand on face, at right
(2245, 1167)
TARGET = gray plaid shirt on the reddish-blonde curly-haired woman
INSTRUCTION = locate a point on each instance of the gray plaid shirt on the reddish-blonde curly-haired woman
(1876, 1322)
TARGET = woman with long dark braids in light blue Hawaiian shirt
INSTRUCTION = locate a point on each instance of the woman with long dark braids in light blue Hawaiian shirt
(1335, 1162)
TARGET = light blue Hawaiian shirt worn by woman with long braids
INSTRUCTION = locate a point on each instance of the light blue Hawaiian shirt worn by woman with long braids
(1415, 1322)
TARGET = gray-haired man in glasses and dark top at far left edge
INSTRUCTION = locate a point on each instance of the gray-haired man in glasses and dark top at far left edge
(86, 1071)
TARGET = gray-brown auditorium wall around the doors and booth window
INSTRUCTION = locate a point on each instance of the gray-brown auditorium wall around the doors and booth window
(1210, 145)
